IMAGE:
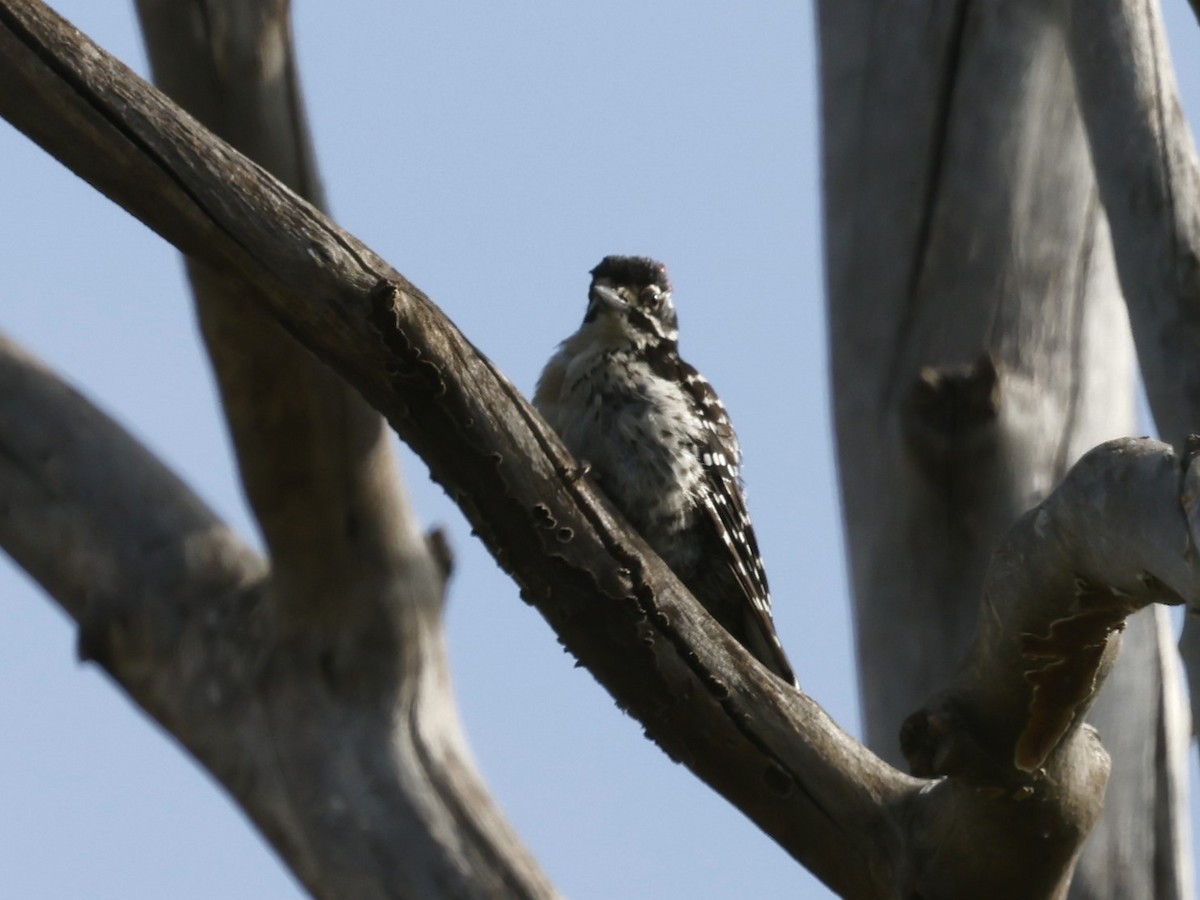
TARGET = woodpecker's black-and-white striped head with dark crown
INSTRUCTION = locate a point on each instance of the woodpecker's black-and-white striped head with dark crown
(631, 302)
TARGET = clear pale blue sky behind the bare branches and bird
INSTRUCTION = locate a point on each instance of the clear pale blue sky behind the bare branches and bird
(493, 154)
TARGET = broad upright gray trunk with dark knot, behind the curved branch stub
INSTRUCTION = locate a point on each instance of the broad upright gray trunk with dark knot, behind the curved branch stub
(979, 346)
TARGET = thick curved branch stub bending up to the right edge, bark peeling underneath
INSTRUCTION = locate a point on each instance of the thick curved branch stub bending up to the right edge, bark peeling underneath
(1118, 535)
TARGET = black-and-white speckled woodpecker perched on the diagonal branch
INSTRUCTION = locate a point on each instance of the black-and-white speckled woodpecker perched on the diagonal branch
(656, 439)
